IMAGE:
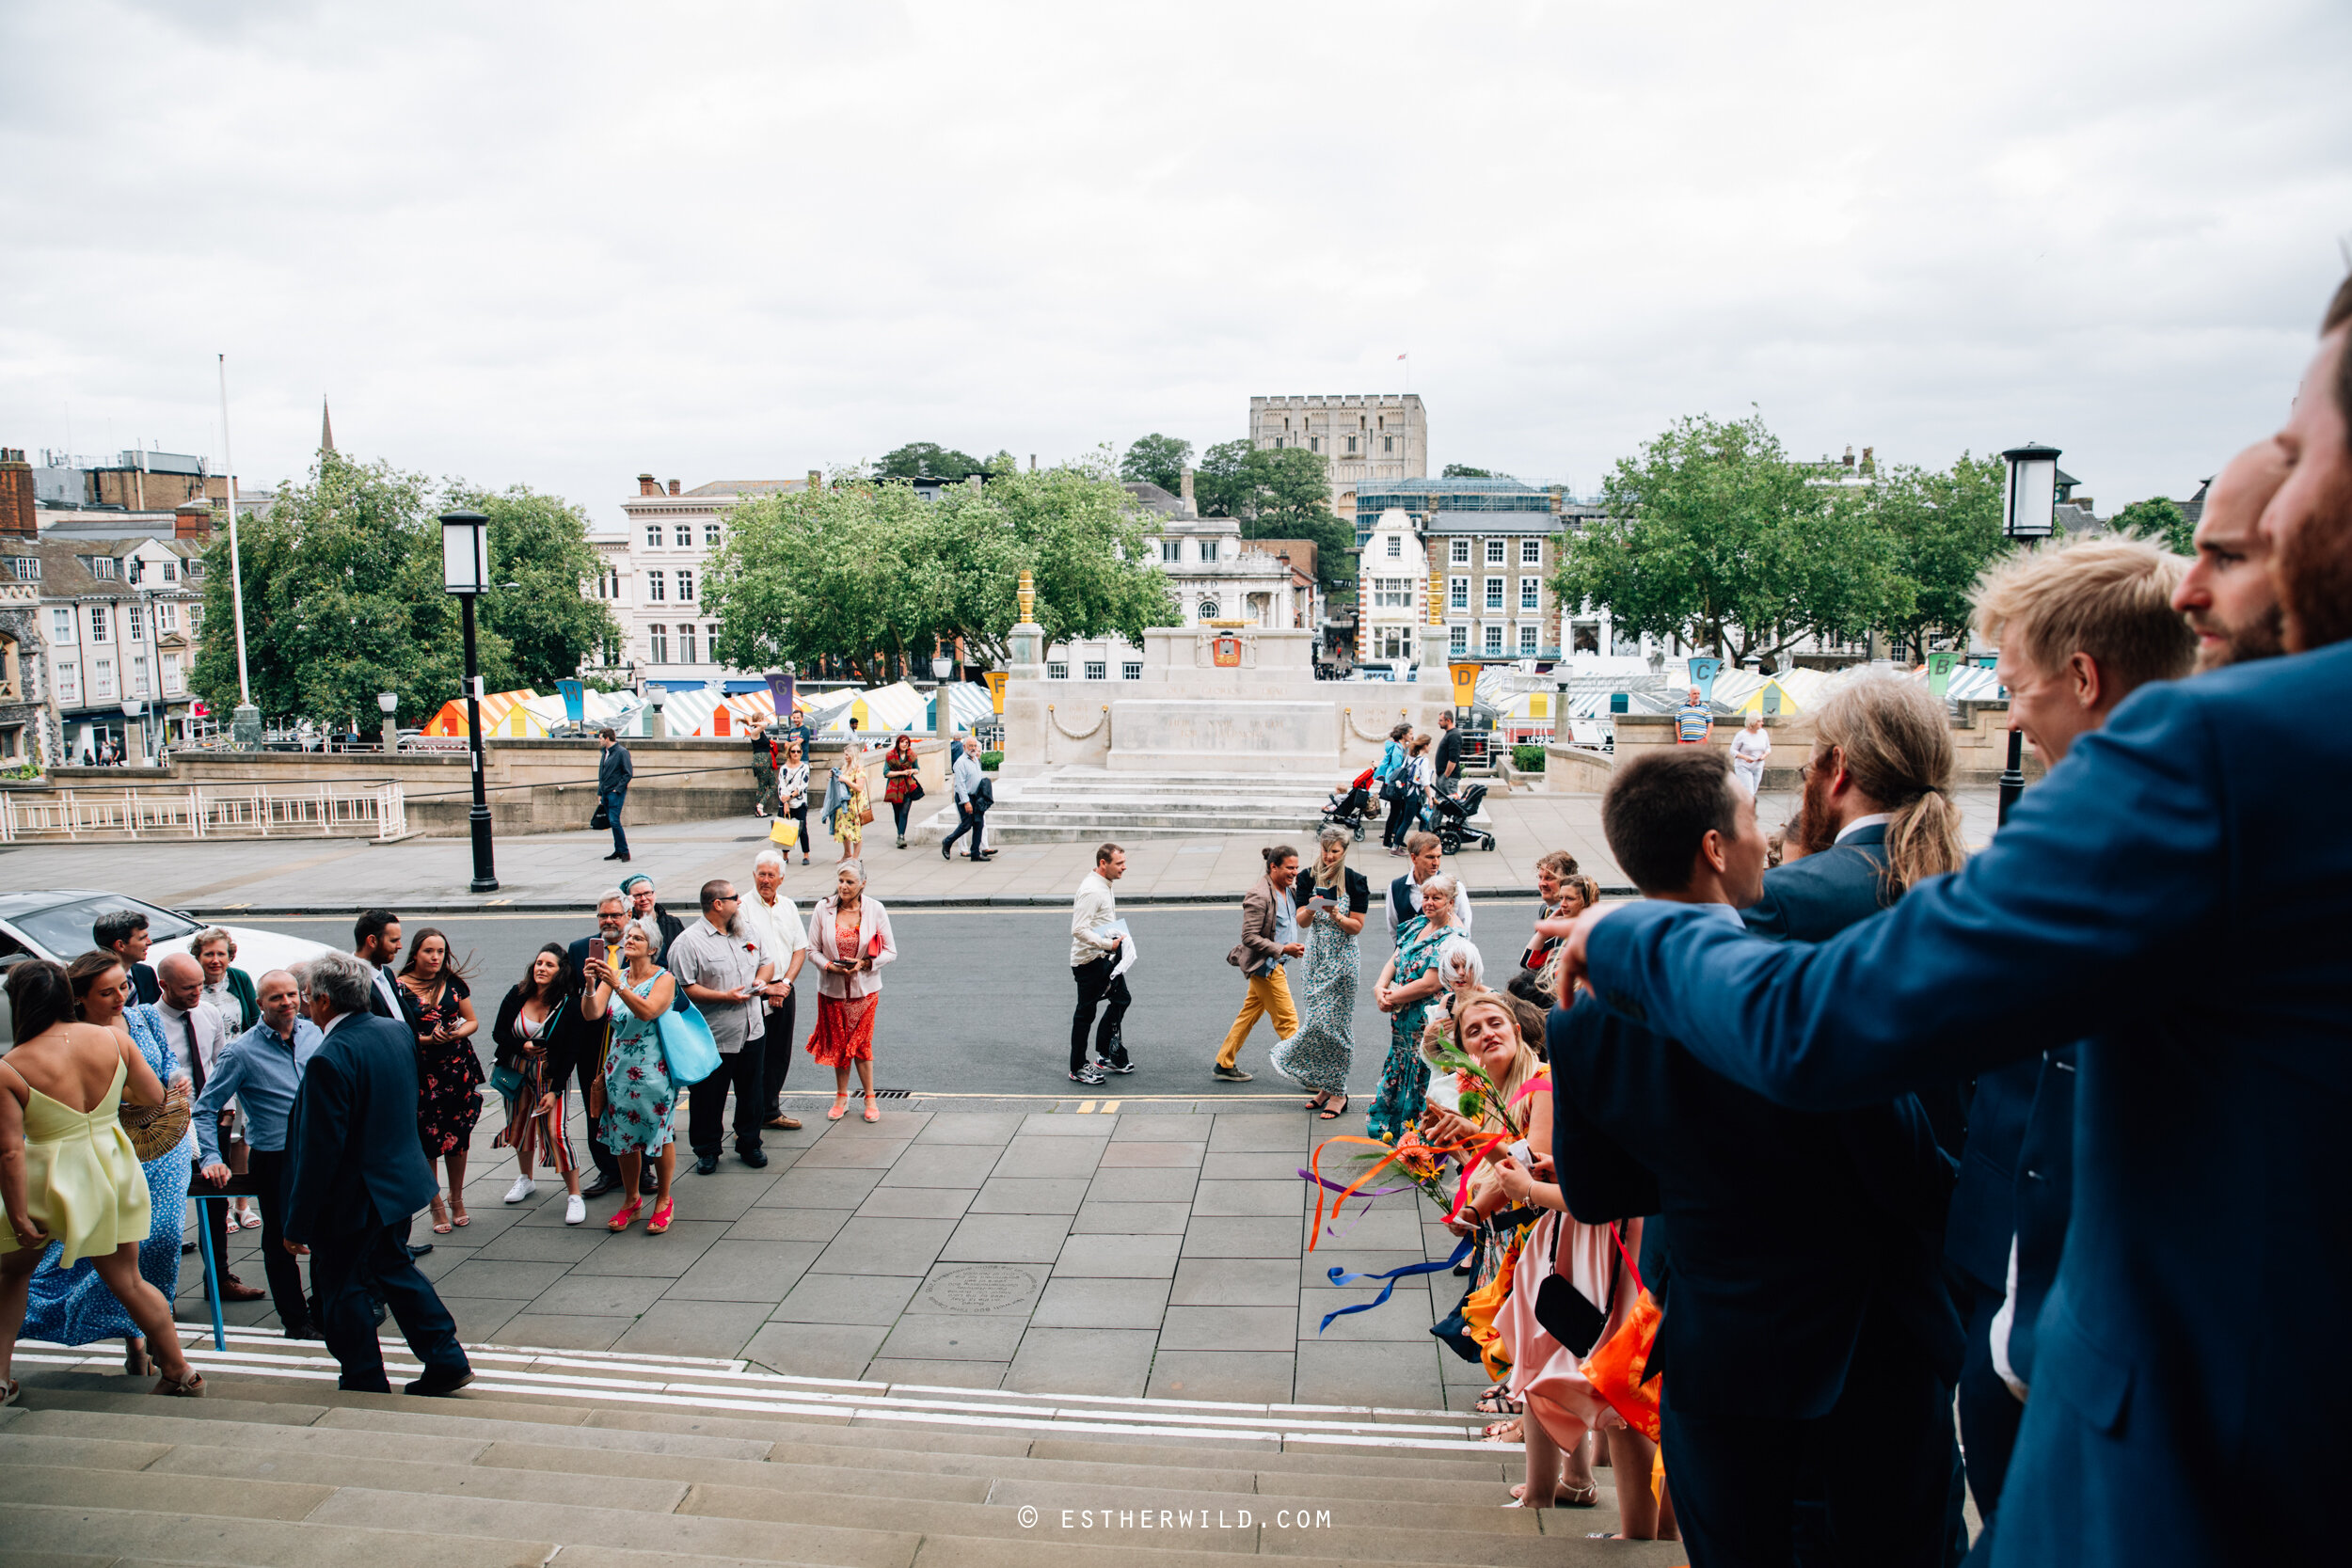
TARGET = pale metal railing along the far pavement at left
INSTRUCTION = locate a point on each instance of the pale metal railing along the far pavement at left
(208, 812)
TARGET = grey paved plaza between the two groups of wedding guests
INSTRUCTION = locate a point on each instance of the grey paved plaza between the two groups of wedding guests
(1088, 1252)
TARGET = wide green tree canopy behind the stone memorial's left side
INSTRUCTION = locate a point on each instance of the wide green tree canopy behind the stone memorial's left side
(874, 575)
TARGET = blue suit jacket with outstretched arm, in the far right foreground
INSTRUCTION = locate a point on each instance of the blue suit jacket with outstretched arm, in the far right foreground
(2174, 897)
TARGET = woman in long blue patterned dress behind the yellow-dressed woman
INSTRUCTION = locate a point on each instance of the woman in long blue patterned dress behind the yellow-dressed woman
(74, 1306)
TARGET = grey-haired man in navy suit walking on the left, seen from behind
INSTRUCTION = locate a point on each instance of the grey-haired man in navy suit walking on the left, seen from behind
(356, 1177)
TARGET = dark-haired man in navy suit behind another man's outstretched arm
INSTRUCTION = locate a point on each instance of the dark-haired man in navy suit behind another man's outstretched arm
(1808, 1346)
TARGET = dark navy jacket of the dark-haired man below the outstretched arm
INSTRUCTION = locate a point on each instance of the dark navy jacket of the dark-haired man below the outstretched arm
(1786, 1228)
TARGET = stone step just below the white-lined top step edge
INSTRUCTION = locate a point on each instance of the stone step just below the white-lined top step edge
(361, 1423)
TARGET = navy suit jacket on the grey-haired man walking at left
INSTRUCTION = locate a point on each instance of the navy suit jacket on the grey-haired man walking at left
(354, 1160)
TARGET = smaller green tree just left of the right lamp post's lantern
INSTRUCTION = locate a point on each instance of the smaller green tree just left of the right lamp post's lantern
(1946, 530)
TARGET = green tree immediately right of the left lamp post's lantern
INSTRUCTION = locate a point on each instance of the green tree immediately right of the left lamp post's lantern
(540, 544)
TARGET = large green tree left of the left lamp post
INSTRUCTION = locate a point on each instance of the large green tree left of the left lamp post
(342, 601)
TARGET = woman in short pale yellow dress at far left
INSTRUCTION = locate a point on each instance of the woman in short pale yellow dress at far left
(69, 1172)
